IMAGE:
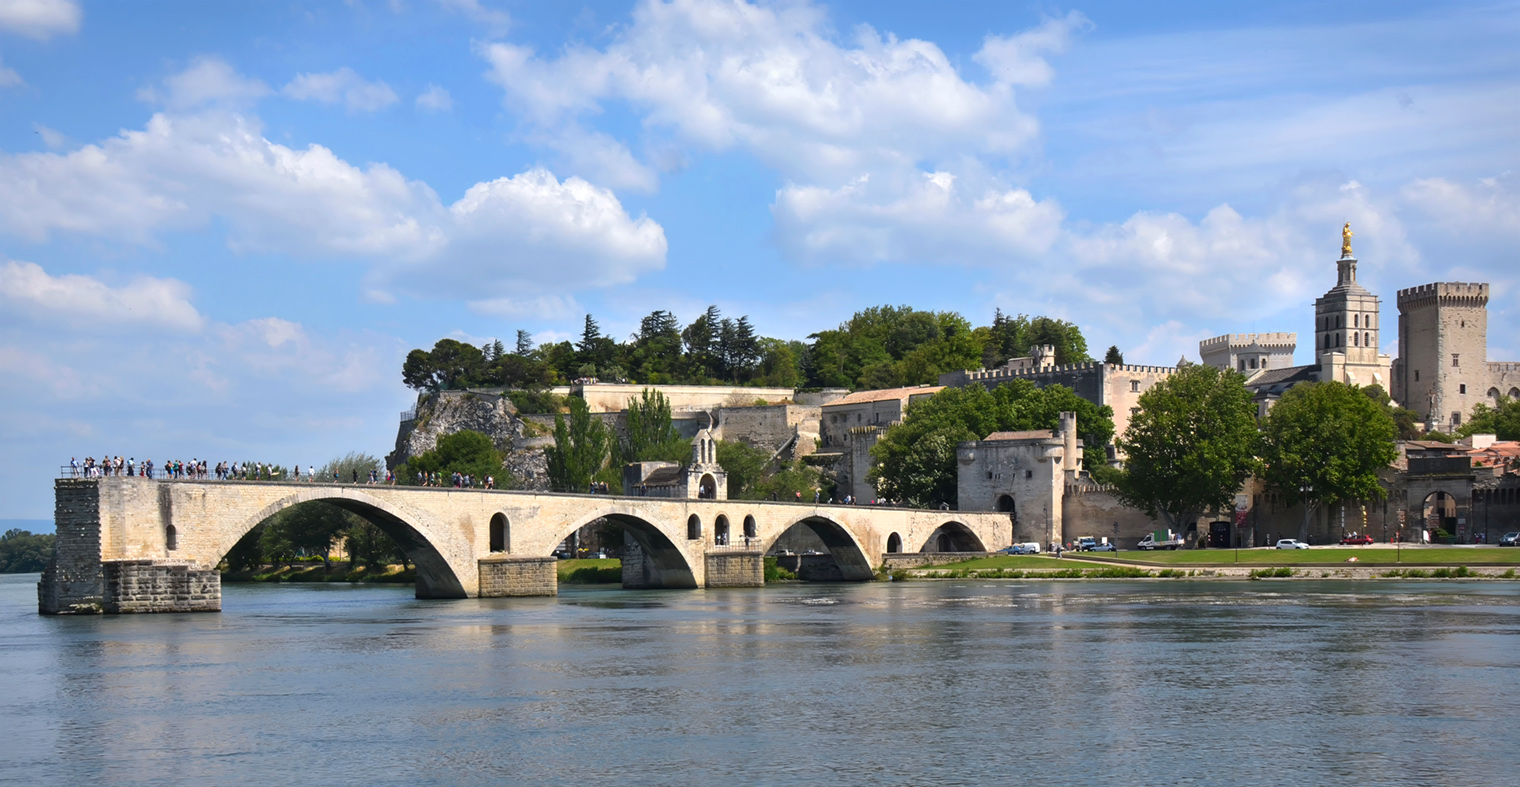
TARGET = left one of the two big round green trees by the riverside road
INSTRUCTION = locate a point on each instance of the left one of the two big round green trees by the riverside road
(1191, 447)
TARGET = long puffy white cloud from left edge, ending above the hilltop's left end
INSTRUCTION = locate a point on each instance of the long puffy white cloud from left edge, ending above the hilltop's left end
(186, 169)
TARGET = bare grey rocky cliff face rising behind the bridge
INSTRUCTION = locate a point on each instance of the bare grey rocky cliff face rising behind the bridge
(495, 417)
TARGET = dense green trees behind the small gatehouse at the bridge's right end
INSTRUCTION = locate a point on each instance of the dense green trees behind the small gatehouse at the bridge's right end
(916, 460)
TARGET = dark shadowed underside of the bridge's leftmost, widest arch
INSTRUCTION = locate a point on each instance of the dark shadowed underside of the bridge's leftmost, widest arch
(435, 578)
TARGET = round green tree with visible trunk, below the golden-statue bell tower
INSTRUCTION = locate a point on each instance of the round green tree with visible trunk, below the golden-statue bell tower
(1325, 444)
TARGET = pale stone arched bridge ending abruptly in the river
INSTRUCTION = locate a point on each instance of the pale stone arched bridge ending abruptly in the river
(131, 545)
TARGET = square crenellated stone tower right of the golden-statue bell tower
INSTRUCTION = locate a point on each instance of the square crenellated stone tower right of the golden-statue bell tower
(1443, 352)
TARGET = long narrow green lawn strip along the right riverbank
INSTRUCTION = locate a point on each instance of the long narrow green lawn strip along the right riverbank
(1319, 557)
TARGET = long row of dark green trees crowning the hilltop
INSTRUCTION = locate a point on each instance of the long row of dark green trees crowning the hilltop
(879, 347)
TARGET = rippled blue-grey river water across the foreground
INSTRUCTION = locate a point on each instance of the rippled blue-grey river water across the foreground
(920, 683)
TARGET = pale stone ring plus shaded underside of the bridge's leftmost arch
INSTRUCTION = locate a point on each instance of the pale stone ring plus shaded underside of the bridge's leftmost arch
(423, 545)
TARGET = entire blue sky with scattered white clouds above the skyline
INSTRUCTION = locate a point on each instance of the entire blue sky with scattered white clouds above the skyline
(224, 224)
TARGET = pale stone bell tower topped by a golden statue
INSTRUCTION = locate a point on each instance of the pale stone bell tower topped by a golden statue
(1347, 330)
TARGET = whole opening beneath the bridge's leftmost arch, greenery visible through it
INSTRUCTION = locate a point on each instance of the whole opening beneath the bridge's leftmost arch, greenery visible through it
(350, 536)
